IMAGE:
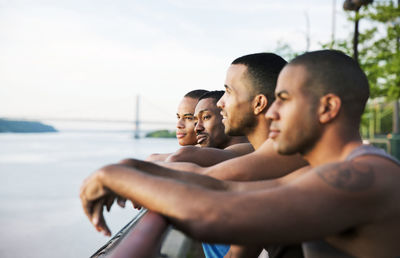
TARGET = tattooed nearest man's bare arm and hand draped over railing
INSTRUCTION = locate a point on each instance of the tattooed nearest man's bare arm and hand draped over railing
(340, 195)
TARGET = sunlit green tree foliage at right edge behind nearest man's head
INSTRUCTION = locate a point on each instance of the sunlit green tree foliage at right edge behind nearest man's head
(379, 57)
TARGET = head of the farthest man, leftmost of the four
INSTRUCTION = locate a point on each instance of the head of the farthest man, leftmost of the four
(185, 114)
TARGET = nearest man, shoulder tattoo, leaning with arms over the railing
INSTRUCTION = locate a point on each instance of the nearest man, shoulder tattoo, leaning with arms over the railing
(347, 203)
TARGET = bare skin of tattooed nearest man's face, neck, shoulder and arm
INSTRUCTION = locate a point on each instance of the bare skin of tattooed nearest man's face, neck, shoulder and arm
(357, 213)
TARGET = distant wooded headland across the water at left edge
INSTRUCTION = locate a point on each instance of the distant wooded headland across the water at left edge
(22, 126)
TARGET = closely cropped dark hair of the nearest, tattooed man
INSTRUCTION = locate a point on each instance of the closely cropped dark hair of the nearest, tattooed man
(332, 71)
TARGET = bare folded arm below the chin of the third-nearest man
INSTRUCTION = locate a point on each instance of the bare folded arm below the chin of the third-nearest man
(204, 156)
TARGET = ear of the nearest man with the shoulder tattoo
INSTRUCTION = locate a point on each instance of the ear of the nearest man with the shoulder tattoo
(329, 107)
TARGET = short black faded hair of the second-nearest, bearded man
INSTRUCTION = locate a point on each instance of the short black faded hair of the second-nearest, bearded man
(263, 70)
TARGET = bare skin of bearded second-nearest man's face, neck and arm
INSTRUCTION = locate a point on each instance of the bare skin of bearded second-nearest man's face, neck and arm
(236, 104)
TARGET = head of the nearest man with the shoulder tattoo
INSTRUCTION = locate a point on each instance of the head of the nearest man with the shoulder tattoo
(316, 91)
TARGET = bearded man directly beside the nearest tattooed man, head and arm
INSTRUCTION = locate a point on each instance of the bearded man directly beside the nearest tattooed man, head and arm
(249, 91)
